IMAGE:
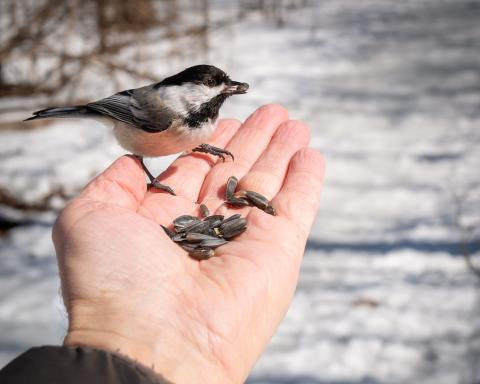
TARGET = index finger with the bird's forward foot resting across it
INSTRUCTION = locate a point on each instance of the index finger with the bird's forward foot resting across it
(187, 173)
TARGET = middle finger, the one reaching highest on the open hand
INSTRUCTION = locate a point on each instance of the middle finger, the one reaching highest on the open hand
(247, 145)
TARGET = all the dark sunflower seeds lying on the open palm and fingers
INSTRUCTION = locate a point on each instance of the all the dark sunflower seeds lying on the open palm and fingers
(199, 237)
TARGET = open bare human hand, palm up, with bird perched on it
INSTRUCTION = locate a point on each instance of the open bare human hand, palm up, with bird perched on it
(128, 288)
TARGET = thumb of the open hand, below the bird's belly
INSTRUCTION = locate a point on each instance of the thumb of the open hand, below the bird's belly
(122, 183)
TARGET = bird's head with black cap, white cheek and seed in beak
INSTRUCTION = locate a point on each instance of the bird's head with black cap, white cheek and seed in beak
(198, 92)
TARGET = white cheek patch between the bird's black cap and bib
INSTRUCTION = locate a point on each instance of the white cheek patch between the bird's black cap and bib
(188, 97)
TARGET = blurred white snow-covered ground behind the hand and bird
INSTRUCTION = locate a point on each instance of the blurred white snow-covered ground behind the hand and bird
(391, 91)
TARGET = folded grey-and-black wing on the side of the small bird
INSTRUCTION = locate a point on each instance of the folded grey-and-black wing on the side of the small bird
(132, 107)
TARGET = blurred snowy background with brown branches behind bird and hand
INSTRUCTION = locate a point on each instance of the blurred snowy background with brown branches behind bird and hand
(389, 290)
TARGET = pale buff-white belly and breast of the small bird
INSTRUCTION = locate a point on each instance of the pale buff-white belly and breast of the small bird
(177, 138)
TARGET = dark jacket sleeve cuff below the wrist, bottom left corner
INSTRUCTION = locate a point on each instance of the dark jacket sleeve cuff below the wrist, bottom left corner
(75, 365)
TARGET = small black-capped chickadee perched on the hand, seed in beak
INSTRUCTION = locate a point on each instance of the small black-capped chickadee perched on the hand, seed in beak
(174, 115)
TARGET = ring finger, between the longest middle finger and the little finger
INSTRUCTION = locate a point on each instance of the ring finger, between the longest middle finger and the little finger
(267, 174)
